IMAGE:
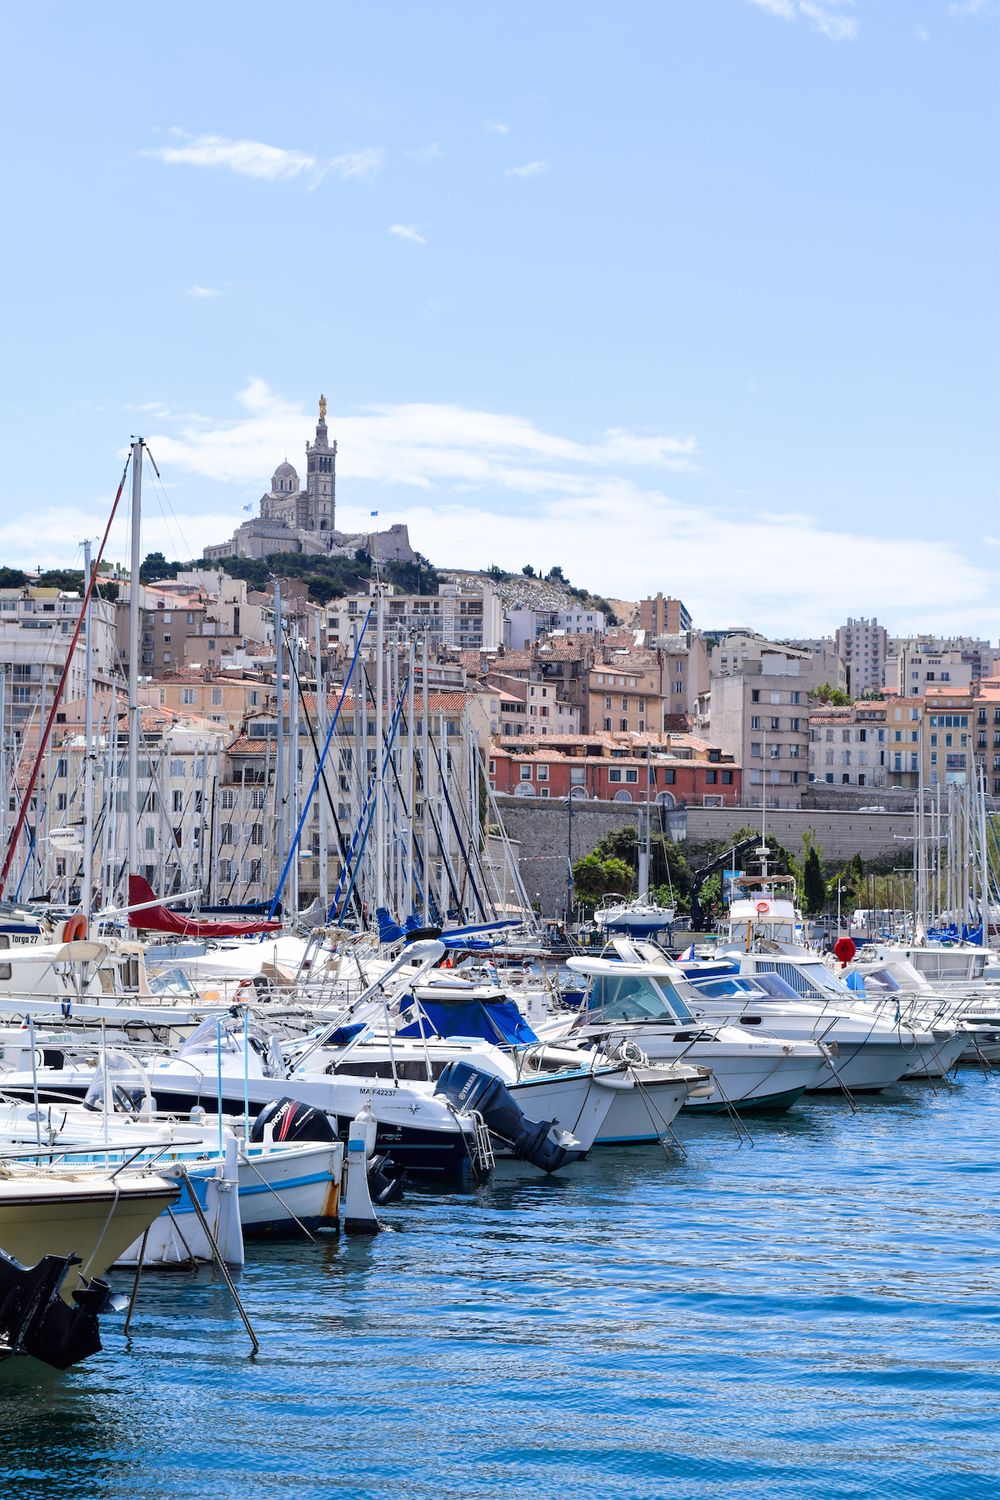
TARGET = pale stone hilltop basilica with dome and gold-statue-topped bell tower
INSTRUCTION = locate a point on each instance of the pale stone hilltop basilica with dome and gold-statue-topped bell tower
(296, 520)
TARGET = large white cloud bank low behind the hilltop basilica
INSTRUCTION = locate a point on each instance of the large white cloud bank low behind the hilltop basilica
(478, 487)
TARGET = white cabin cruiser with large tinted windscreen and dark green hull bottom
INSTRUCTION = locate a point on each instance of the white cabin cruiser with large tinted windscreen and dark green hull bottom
(636, 1001)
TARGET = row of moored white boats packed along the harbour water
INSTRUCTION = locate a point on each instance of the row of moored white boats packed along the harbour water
(163, 1102)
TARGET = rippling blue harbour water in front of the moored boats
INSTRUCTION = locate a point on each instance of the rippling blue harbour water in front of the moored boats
(815, 1316)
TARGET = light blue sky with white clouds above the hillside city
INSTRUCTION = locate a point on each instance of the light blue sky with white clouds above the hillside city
(687, 295)
